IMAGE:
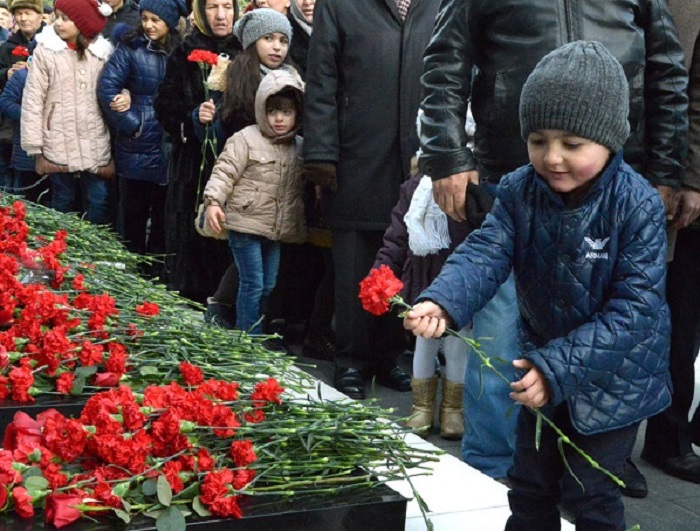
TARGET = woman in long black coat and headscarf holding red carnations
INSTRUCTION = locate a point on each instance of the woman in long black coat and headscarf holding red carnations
(194, 264)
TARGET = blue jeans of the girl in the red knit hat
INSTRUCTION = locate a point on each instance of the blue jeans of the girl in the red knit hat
(93, 189)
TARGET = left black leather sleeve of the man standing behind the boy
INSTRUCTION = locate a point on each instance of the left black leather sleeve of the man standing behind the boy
(446, 81)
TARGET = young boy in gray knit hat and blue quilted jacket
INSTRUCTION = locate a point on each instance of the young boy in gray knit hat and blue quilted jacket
(585, 236)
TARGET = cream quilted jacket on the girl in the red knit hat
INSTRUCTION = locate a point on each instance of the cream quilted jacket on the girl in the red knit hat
(61, 118)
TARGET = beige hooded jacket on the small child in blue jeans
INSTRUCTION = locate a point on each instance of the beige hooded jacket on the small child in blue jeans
(257, 178)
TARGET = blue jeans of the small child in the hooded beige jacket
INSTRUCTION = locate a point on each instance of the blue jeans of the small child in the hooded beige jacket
(258, 260)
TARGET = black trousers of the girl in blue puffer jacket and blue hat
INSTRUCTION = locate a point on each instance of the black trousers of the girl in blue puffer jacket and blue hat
(141, 201)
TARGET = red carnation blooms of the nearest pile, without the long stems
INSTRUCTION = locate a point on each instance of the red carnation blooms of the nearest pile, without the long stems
(172, 445)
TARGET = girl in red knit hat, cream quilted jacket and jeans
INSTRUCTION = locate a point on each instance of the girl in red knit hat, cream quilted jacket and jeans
(61, 120)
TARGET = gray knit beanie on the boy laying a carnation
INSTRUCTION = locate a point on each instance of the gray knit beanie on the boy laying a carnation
(580, 88)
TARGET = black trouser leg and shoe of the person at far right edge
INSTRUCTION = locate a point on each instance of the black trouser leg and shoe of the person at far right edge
(669, 433)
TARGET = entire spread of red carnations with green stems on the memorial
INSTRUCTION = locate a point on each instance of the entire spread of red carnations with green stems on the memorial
(179, 417)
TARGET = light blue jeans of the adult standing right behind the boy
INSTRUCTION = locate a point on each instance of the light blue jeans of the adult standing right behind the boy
(488, 442)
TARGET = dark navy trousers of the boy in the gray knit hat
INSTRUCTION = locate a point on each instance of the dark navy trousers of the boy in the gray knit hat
(538, 477)
